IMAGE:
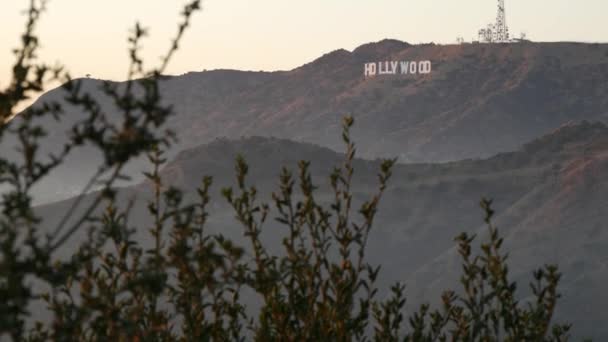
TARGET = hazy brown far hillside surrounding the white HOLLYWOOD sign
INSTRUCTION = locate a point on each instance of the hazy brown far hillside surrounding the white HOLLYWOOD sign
(479, 100)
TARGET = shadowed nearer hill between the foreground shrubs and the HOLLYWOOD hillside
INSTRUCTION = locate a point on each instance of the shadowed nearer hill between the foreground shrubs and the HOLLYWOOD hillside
(550, 198)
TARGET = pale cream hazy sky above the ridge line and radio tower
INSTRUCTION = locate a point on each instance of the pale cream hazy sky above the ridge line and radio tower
(89, 36)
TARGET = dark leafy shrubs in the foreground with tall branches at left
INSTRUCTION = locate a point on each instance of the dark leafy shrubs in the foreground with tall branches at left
(189, 286)
